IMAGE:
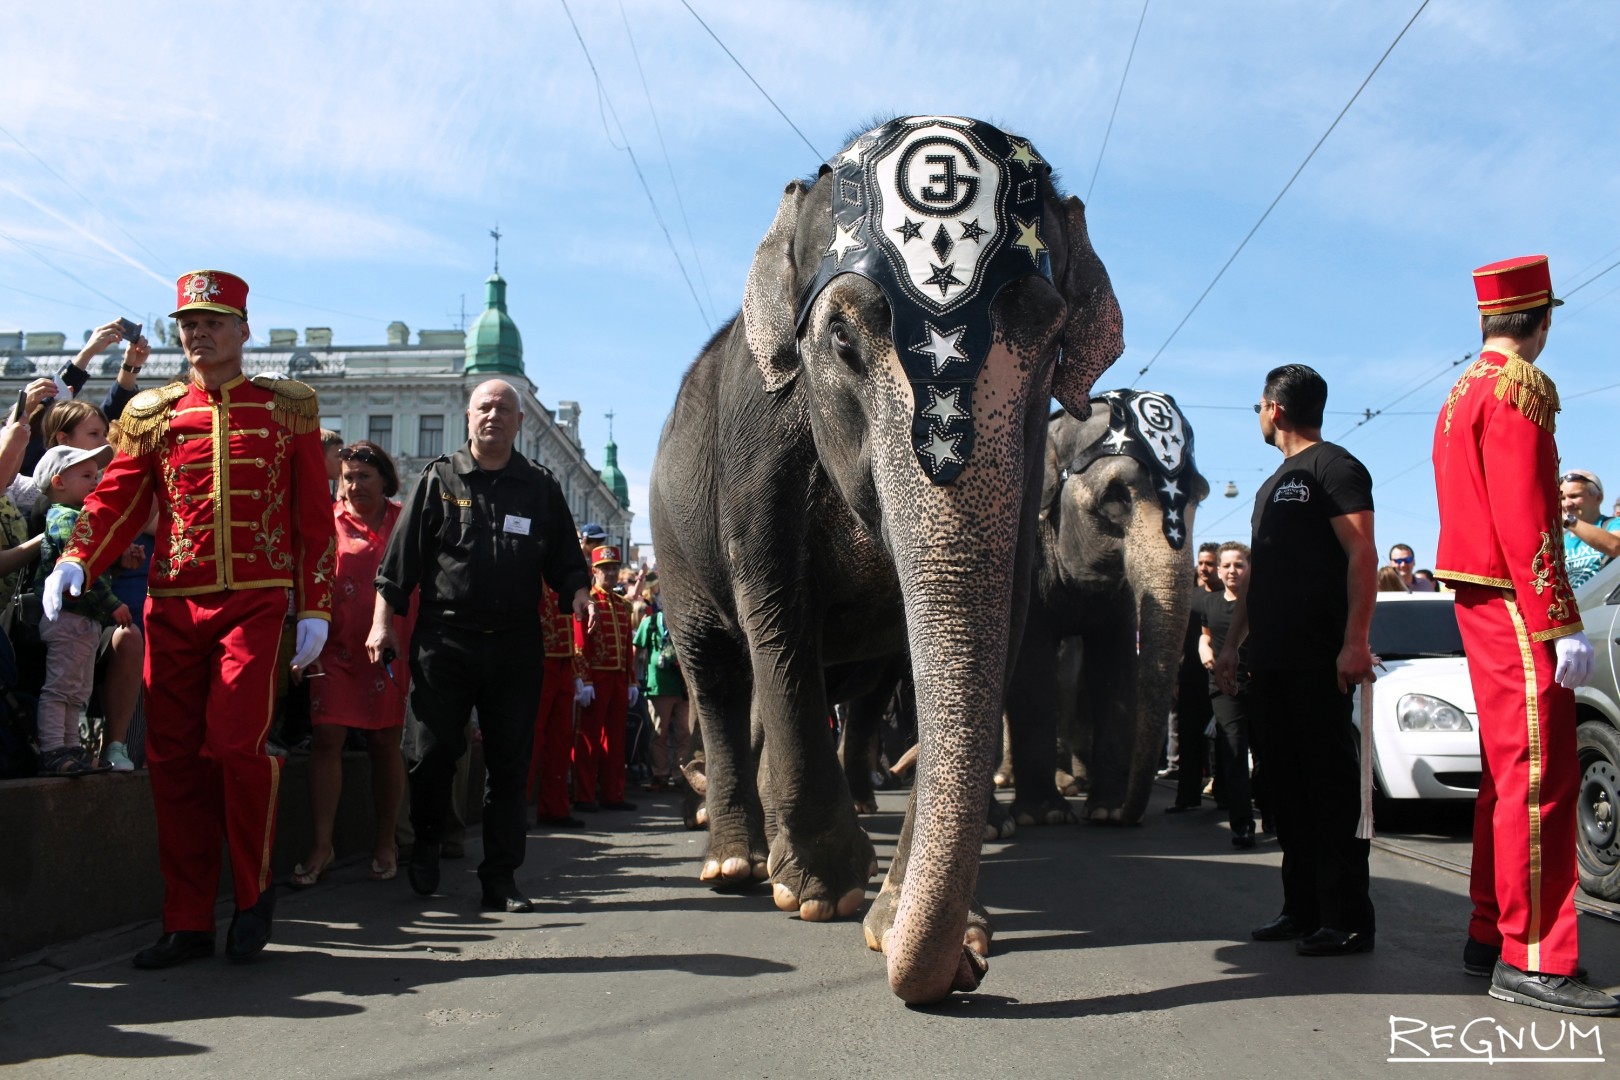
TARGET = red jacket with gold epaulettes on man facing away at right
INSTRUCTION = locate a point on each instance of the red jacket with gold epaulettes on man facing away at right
(1496, 474)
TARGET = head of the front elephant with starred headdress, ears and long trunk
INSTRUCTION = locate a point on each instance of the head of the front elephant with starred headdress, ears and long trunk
(929, 296)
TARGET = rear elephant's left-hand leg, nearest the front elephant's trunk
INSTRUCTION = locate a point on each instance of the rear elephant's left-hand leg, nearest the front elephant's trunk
(1033, 728)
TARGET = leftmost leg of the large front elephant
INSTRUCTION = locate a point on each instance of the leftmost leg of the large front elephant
(736, 819)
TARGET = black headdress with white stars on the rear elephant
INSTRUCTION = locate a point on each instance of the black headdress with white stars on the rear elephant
(1148, 427)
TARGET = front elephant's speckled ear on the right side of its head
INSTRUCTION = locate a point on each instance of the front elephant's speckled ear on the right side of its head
(1094, 333)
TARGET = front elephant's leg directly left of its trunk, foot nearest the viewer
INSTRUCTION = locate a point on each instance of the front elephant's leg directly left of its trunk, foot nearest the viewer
(821, 859)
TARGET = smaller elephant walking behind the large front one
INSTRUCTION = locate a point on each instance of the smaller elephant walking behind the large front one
(1106, 629)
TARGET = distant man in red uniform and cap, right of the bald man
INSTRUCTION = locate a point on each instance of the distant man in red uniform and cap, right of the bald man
(599, 749)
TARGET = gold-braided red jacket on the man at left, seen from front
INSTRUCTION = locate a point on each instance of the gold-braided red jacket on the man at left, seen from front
(241, 487)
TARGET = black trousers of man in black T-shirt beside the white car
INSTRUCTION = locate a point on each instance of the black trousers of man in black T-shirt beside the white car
(1313, 788)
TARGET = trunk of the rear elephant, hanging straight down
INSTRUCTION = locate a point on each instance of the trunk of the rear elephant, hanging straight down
(1164, 602)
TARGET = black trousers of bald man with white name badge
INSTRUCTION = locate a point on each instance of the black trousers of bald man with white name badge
(453, 673)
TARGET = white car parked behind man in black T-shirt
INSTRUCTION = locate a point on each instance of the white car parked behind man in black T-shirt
(1425, 726)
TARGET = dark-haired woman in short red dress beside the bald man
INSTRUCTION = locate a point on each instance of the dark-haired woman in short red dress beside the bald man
(347, 689)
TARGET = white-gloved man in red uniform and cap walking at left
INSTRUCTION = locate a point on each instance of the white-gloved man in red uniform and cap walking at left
(239, 480)
